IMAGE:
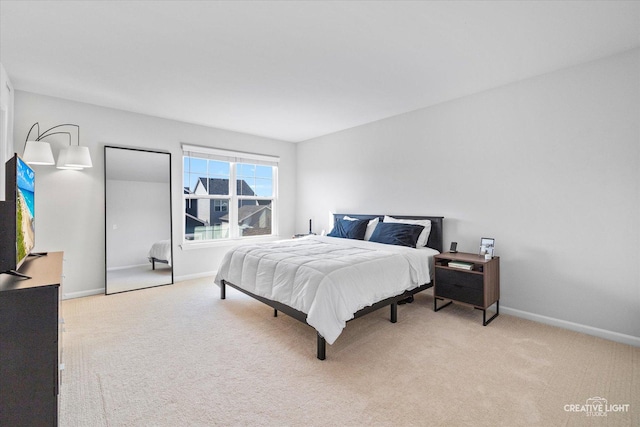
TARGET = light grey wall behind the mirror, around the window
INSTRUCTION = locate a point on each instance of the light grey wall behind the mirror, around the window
(70, 204)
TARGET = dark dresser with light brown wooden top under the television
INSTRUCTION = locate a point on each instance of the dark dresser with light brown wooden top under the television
(29, 343)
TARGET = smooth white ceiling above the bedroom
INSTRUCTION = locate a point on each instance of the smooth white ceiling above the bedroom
(297, 70)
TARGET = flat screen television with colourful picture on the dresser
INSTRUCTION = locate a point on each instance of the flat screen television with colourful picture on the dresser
(17, 237)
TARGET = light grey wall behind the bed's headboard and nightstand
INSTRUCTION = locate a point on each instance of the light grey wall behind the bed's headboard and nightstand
(549, 167)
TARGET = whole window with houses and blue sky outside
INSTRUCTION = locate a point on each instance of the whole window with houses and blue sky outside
(228, 195)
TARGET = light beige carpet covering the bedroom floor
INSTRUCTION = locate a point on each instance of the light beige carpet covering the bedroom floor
(179, 356)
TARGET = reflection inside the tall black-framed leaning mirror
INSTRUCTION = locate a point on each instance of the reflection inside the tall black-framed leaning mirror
(138, 234)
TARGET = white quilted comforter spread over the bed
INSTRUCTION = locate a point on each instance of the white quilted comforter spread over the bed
(327, 278)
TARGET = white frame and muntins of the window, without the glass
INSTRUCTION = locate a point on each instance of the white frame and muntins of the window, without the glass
(233, 158)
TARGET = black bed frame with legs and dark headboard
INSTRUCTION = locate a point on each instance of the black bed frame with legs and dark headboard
(435, 241)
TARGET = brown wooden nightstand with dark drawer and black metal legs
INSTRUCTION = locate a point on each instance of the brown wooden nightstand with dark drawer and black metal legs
(477, 285)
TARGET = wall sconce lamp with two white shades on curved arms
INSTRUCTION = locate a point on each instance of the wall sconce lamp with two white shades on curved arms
(38, 152)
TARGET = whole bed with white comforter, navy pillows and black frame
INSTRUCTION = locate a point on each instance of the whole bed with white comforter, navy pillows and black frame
(325, 281)
